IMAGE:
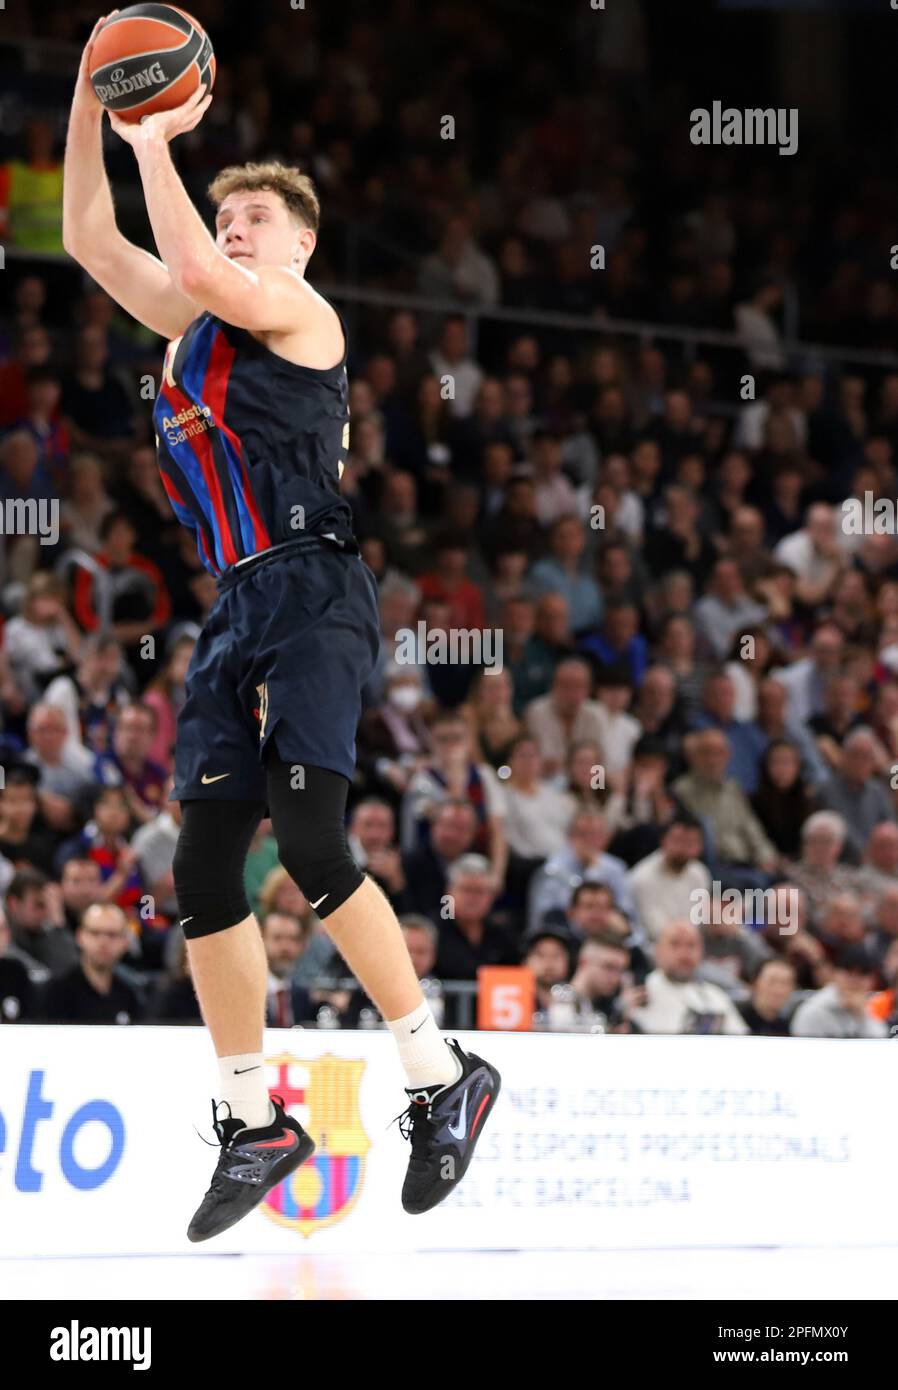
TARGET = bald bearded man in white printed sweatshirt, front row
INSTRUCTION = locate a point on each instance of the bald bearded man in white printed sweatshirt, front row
(675, 1000)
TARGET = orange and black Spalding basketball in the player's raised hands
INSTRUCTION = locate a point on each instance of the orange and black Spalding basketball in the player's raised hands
(151, 58)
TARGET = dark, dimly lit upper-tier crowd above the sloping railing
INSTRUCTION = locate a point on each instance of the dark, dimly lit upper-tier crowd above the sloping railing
(537, 137)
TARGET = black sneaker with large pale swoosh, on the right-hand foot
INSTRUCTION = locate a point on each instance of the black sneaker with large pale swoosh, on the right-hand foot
(444, 1124)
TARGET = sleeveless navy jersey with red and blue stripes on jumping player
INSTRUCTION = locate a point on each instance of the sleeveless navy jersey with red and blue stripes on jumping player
(251, 447)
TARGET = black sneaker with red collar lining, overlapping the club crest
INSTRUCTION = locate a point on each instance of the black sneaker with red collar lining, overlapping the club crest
(251, 1164)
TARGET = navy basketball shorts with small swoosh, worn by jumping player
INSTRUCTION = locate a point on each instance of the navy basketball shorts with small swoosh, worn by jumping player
(284, 654)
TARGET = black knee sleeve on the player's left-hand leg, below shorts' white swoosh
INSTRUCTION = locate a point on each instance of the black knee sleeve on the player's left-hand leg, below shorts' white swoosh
(209, 864)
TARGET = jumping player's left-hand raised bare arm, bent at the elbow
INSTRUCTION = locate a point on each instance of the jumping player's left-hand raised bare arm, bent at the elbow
(136, 280)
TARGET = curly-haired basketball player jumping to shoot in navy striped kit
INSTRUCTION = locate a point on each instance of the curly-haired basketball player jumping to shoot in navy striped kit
(252, 430)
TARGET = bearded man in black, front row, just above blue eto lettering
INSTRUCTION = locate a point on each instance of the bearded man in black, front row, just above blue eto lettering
(92, 990)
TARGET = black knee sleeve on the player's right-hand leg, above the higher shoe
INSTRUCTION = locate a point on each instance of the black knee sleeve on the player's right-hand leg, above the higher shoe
(308, 810)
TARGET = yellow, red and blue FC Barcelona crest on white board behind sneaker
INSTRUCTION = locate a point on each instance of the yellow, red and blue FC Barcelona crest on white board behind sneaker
(325, 1097)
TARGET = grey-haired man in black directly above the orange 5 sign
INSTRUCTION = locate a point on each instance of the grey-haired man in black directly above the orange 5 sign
(471, 935)
